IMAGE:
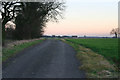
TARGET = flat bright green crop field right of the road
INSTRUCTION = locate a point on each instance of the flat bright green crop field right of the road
(106, 47)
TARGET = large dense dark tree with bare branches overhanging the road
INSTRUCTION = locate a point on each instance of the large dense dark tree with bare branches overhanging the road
(31, 21)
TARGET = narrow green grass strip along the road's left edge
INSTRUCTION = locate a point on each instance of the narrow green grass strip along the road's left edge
(9, 52)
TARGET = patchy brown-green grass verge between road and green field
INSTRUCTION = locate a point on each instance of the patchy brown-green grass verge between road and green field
(95, 65)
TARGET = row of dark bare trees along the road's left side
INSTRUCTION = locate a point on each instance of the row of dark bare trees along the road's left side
(30, 17)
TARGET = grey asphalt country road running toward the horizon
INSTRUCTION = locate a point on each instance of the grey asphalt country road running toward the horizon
(49, 59)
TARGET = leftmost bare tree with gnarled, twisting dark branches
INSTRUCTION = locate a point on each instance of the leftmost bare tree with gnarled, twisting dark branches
(8, 11)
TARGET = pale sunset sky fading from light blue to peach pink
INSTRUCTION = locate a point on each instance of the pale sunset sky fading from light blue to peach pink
(86, 17)
